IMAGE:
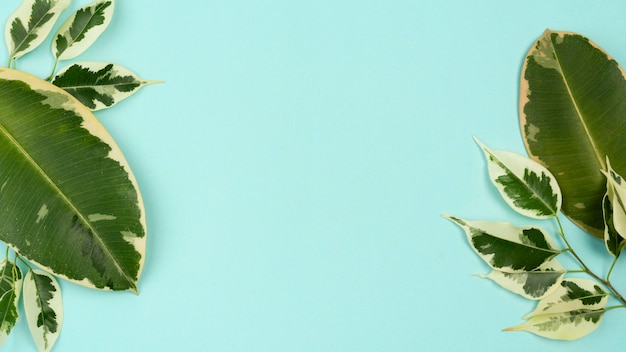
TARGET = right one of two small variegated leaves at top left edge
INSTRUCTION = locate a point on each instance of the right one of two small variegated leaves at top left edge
(82, 29)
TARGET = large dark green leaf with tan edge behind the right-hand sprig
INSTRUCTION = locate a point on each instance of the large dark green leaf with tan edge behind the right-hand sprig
(573, 116)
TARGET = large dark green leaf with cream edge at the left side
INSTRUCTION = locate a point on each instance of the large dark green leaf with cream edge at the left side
(68, 199)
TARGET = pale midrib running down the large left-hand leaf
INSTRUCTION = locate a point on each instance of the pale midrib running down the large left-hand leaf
(66, 199)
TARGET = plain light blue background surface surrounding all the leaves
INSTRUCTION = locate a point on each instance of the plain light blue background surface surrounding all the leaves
(294, 166)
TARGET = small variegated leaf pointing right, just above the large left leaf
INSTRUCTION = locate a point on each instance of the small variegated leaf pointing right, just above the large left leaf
(99, 85)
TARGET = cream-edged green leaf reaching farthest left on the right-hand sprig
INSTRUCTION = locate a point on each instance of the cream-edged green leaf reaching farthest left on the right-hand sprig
(506, 247)
